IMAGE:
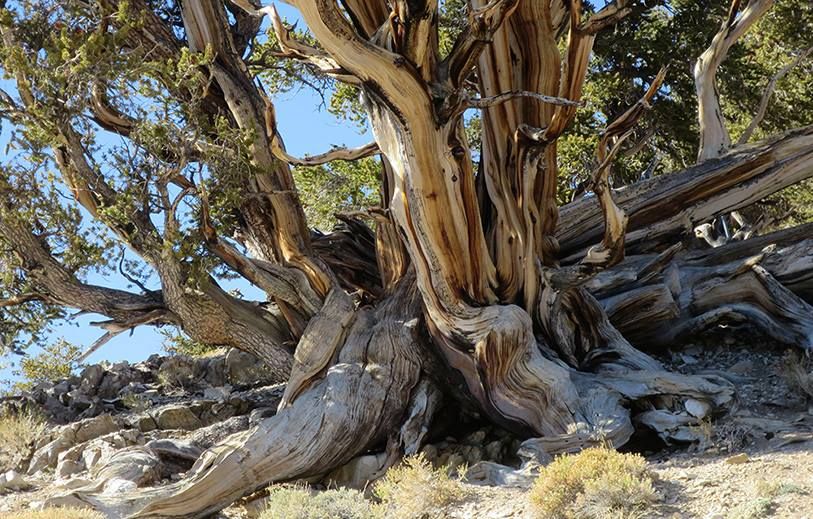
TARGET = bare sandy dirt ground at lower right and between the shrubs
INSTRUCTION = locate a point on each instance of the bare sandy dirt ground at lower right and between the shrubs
(754, 462)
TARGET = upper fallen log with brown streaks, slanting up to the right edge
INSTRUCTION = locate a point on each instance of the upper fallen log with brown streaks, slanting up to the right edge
(662, 209)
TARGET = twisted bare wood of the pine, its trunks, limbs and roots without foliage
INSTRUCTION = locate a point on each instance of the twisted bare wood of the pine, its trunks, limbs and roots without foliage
(475, 285)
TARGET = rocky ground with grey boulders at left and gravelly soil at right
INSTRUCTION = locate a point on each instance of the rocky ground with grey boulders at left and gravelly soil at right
(145, 424)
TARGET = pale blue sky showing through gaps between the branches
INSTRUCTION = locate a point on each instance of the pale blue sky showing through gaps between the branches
(305, 129)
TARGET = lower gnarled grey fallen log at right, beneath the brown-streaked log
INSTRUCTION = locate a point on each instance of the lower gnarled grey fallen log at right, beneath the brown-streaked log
(763, 283)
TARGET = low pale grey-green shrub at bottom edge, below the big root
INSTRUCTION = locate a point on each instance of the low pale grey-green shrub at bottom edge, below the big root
(290, 502)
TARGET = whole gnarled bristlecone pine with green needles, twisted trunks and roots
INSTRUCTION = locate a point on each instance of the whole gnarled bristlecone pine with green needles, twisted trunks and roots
(147, 124)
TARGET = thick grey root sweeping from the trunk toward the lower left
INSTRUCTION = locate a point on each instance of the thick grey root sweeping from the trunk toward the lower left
(361, 400)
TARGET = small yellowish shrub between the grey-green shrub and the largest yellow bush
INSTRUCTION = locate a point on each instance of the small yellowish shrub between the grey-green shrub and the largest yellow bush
(415, 490)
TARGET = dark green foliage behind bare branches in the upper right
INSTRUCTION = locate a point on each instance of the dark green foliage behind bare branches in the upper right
(674, 33)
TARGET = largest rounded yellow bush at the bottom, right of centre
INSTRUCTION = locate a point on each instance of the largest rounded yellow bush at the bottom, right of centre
(597, 483)
